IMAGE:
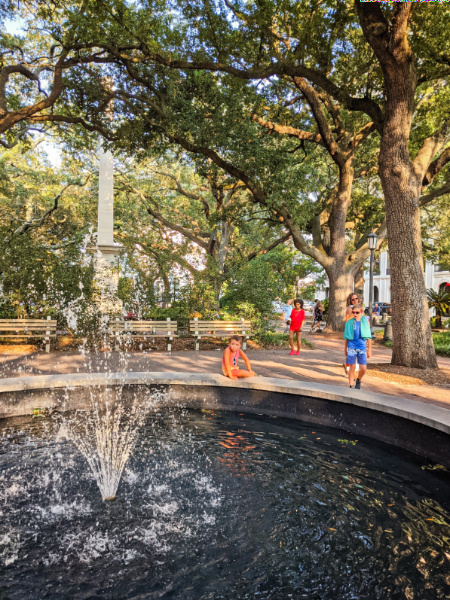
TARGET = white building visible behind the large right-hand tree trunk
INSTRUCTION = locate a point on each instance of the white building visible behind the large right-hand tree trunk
(435, 278)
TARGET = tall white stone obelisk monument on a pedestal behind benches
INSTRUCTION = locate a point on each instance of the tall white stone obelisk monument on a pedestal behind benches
(105, 252)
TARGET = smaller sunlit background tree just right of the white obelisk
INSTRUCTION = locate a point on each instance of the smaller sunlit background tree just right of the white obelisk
(209, 211)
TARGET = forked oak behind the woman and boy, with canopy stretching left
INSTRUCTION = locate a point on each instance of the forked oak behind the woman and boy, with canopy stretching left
(194, 112)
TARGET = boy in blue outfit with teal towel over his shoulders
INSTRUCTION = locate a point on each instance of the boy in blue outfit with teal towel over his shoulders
(358, 345)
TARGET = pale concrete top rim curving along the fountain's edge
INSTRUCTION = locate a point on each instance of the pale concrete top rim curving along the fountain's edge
(430, 415)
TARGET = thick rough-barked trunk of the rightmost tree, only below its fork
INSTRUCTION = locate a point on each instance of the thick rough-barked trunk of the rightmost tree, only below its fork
(412, 338)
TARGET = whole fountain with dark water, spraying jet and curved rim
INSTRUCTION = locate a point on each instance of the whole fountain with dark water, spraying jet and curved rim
(255, 501)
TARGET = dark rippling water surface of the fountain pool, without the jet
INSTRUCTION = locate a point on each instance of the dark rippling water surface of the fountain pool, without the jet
(221, 506)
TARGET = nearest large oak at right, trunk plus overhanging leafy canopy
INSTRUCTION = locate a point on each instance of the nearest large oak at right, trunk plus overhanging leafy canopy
(384, 75)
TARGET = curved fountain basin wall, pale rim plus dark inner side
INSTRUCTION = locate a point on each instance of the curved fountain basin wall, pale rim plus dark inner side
(409, 424)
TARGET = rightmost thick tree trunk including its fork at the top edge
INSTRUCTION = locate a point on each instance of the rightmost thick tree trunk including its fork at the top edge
(413, 342)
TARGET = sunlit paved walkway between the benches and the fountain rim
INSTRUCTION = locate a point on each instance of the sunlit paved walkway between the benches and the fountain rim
(322, 365)
